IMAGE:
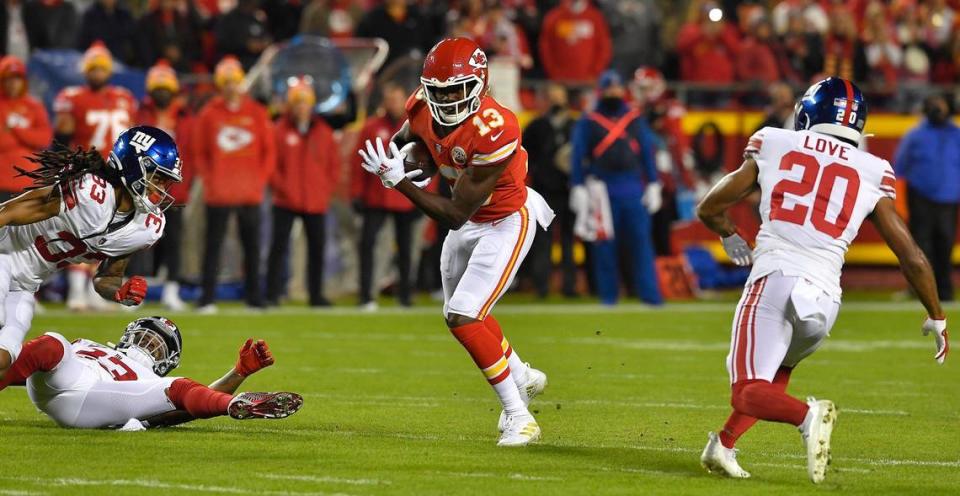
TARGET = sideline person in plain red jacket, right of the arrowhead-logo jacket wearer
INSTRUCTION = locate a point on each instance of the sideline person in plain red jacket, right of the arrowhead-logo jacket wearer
(308, 169)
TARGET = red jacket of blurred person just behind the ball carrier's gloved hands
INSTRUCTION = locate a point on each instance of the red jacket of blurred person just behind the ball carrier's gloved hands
(366, 187)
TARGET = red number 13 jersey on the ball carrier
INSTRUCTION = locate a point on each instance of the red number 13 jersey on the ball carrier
(489, 138)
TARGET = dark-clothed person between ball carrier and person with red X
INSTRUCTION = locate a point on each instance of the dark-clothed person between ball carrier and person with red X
(546, 140)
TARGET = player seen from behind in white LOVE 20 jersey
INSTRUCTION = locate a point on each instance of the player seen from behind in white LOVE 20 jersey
(817, 188)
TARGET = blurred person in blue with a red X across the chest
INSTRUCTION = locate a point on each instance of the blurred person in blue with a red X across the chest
(615, 145)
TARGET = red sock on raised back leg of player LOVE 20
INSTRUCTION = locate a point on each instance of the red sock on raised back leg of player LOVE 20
(767, 401)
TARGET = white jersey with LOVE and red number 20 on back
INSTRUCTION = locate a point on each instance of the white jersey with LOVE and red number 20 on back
(816, 192)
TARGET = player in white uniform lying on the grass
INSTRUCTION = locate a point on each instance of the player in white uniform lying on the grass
(88, 385)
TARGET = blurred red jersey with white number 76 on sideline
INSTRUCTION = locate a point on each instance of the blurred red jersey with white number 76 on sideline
(100, 115)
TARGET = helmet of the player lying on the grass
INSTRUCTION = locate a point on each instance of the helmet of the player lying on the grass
(153, 342)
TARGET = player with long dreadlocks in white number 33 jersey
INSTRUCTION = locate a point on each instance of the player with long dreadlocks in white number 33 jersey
(83, 210)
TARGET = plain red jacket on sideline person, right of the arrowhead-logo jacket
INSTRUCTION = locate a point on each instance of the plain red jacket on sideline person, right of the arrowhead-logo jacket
(308, 167)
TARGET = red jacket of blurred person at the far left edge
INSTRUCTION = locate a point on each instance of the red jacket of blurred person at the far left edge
(24, 129)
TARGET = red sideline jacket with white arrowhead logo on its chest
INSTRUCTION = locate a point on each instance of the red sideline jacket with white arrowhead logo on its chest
(235, 152)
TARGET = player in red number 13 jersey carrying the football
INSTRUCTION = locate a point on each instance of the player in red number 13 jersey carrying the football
(492, 215)
